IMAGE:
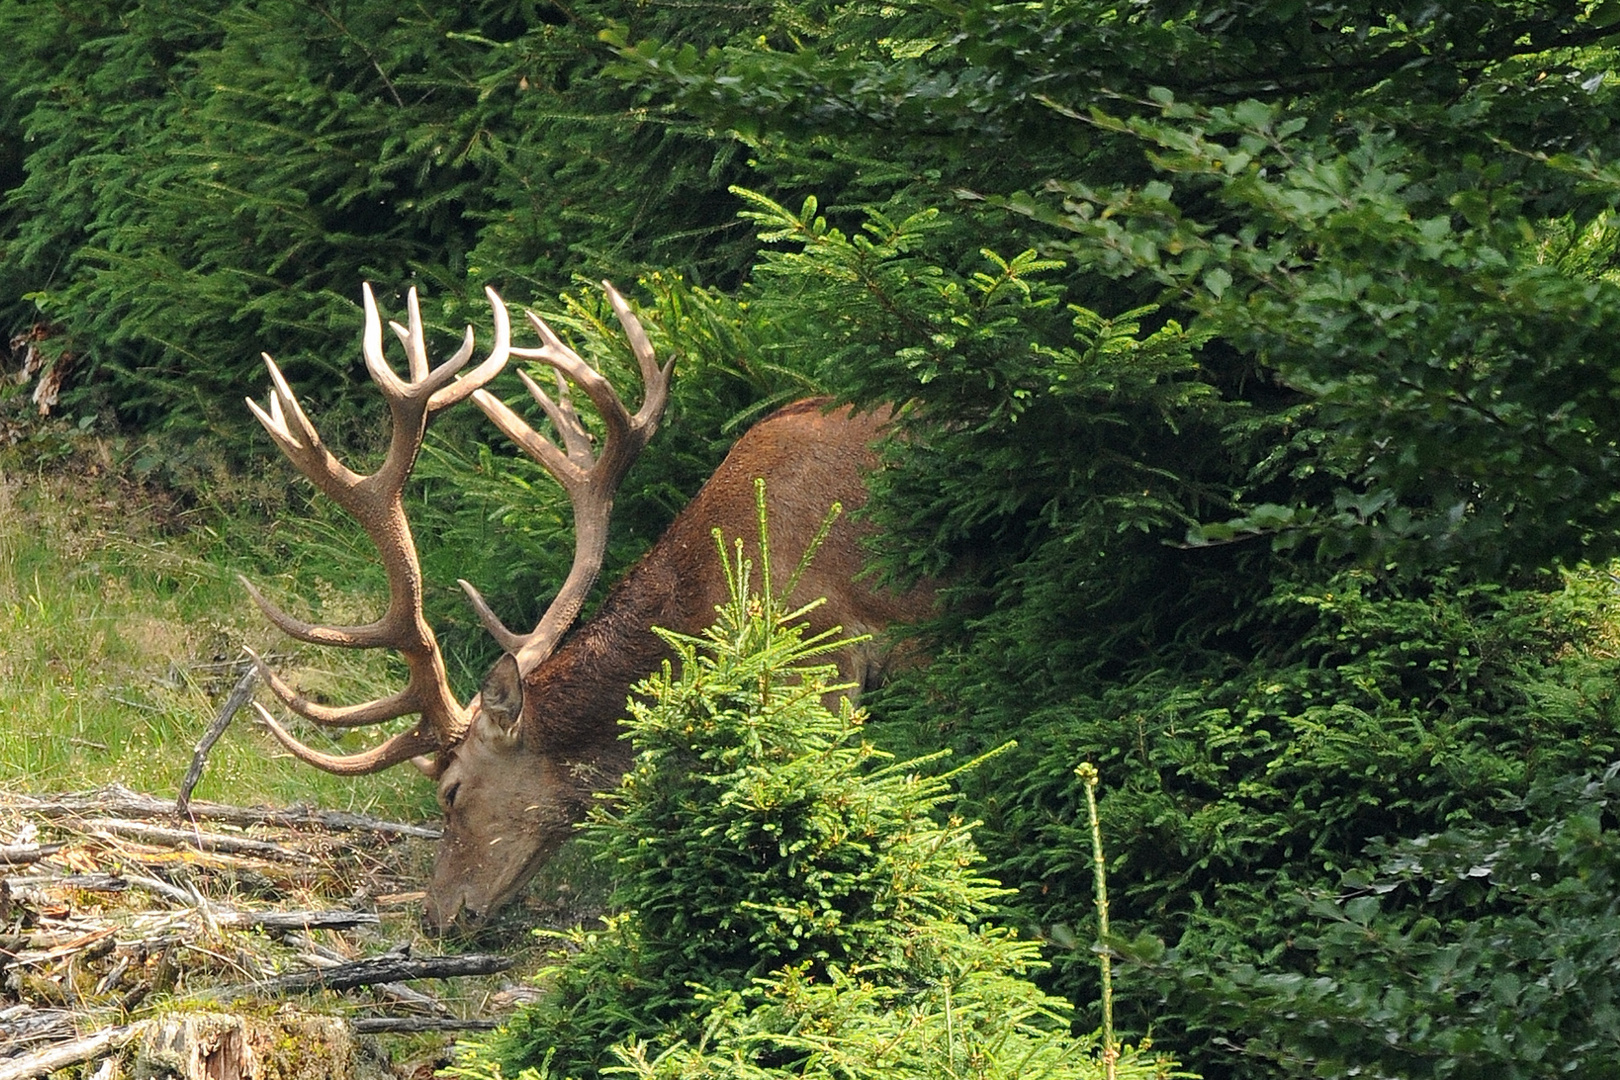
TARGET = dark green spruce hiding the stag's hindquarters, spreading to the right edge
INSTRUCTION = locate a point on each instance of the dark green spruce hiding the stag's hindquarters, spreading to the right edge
(1263, 715)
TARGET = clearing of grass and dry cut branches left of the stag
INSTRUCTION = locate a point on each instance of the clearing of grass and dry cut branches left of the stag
(122, 631)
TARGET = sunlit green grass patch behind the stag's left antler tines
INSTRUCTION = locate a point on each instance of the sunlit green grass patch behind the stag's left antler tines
(119, 640)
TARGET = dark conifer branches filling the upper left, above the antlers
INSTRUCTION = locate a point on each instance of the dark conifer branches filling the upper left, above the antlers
(190, 185)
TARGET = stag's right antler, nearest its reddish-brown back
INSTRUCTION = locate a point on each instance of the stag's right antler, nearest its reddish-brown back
(592, 480)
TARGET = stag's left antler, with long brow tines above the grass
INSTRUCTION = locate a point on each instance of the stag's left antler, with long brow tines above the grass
(377, 503)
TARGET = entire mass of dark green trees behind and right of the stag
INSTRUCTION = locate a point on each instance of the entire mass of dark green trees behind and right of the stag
(1258, 365)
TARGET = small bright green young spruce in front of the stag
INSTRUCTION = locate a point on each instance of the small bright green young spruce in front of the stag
(791, 901)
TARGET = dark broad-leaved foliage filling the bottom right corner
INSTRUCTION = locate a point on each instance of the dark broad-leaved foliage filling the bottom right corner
(1481, 951)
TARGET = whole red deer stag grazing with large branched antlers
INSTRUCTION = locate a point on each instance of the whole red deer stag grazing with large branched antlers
(519, 765)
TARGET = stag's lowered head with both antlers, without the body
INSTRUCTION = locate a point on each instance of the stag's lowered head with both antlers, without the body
(506, 804)
